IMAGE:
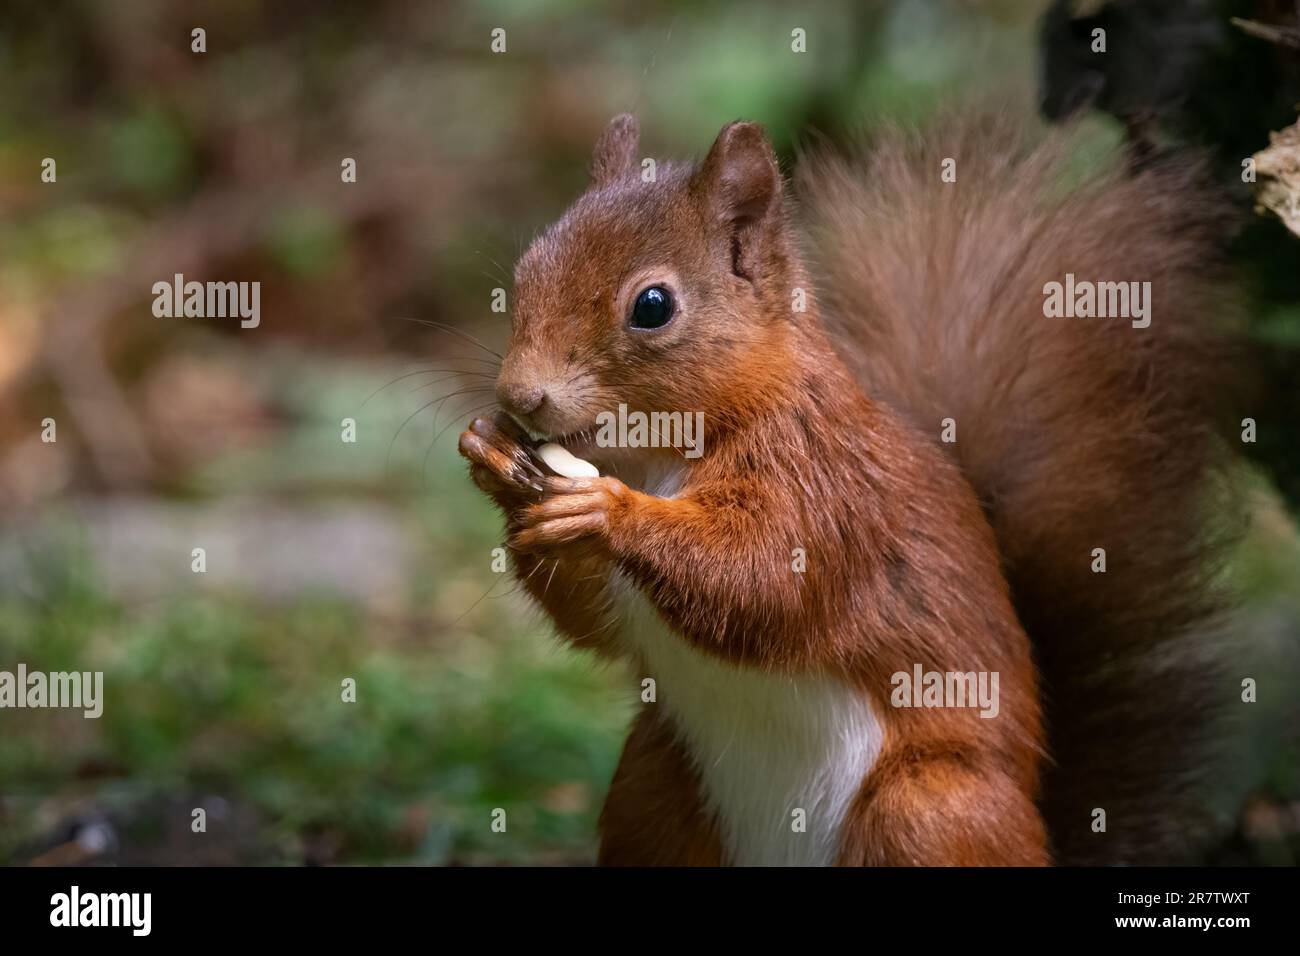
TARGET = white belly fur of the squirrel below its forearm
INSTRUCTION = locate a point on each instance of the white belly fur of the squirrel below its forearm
(765, 745)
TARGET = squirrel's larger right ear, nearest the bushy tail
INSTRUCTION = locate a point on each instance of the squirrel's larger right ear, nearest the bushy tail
(740, 185)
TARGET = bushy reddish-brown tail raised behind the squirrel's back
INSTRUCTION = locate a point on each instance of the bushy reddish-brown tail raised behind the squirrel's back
(1077, 434)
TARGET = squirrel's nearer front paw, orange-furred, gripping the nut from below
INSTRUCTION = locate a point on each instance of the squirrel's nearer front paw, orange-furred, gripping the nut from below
(574, 511)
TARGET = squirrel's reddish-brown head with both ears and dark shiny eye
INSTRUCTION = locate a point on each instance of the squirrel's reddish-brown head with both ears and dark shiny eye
(666, 289)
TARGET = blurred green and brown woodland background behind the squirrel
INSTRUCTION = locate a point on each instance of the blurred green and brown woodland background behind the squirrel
(372, 561)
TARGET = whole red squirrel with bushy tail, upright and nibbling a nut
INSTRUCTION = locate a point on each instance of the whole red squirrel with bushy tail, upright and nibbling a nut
(911, 469)
